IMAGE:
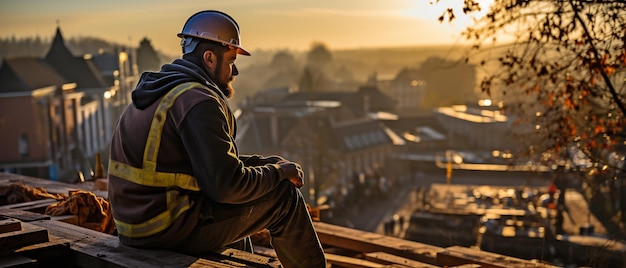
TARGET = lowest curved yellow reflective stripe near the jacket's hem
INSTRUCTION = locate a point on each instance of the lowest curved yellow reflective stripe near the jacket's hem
(158, 223)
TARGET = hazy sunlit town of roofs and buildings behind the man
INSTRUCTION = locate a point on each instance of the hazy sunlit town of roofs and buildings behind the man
(363, 129)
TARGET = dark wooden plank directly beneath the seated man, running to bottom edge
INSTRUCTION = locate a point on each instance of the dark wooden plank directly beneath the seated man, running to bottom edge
(96, 249)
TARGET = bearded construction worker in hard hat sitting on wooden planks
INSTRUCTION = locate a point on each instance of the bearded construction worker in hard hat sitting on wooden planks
(176, 180)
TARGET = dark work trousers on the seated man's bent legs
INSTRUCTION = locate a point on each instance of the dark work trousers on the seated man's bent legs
(282, 211)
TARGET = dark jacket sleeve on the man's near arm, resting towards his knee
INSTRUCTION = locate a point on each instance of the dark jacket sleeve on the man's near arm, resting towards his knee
(216, 165)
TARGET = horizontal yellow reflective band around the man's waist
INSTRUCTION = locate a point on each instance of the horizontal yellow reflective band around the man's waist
(154, 179)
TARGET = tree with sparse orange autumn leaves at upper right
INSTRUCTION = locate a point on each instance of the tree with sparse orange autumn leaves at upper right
(563, 69)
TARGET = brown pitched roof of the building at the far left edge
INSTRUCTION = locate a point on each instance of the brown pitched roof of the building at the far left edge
(17, 74)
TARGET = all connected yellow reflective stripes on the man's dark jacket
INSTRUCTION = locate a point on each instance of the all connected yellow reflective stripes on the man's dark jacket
(148, 176)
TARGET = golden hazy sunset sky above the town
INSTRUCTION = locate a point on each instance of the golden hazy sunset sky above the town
(265, 24)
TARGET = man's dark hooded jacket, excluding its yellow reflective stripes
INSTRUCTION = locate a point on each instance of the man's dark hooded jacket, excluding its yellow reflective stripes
(198, 139)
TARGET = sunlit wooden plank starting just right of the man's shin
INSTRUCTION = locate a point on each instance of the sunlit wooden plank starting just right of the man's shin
(365, 242)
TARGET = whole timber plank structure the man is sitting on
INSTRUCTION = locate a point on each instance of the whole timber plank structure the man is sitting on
(29, 238)
